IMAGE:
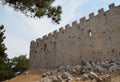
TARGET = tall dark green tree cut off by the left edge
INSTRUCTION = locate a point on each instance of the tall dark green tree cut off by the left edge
(5, 68)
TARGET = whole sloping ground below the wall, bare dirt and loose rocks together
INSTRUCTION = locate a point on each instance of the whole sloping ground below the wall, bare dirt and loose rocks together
(91, 71)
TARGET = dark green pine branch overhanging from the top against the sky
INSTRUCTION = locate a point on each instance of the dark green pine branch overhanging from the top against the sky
(36, 8)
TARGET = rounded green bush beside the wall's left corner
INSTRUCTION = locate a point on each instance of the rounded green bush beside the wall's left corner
(20, 64)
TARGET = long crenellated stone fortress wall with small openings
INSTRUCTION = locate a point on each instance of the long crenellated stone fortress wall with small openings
(96, 38)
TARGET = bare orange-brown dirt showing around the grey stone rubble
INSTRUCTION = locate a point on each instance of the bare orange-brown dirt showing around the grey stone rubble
(35, 76)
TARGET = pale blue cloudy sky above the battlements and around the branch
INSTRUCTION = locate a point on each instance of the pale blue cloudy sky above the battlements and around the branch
(20, 30)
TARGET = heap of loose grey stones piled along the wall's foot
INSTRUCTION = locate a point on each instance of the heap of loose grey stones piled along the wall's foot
(88, 70)
